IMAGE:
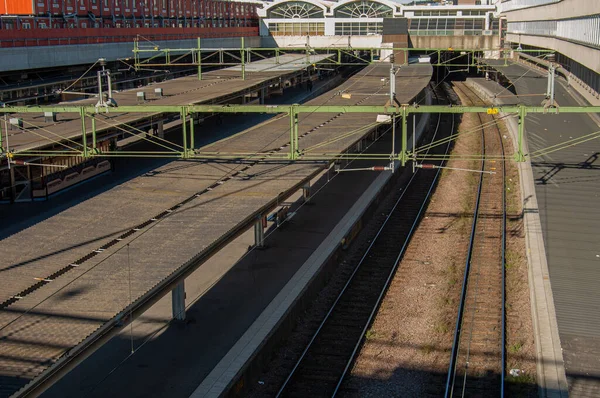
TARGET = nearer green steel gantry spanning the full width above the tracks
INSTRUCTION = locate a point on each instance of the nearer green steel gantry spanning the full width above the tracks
(89, 147)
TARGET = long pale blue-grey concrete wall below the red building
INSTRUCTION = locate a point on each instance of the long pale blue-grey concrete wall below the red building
(23, 58)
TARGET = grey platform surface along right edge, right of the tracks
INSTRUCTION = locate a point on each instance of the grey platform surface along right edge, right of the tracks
(568, 193)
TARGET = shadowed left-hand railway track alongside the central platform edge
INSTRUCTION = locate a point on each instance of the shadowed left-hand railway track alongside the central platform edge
(322, 366)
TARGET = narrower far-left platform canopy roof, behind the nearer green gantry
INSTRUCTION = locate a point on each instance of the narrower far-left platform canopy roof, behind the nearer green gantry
(215, 87)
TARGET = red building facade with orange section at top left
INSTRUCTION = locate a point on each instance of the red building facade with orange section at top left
(127, 14)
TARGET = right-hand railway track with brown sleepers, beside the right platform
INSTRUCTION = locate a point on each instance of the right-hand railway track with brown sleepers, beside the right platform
(477, 361)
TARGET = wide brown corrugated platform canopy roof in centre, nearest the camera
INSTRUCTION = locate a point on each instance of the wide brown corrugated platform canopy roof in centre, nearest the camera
(72, 280)
